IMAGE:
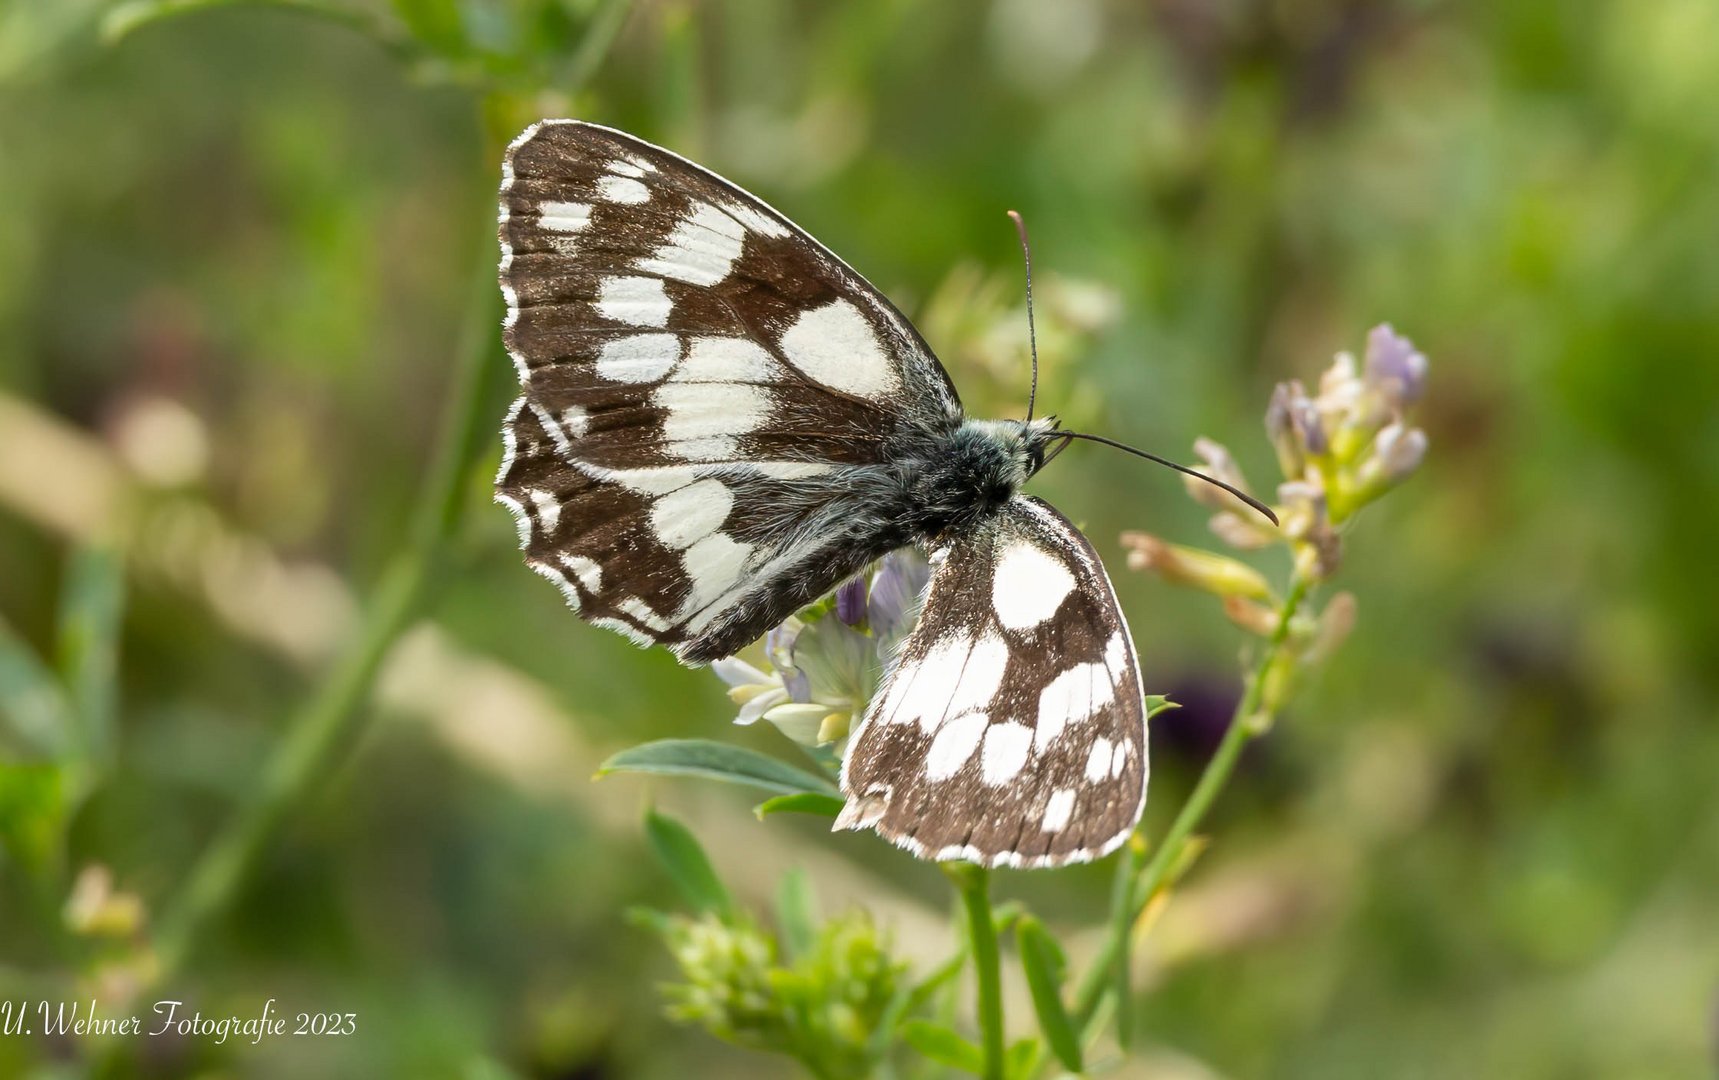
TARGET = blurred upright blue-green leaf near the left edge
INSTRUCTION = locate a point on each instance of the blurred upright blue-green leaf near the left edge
(90, 622)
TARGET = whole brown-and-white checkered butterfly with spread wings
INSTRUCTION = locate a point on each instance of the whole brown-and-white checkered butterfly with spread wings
(721, 422)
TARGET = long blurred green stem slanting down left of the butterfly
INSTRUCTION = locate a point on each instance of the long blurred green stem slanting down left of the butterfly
(324, 732)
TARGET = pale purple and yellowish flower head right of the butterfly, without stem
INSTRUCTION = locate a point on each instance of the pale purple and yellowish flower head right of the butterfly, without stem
(1338, 451)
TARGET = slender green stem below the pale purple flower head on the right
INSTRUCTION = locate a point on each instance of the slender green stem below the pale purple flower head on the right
(1135, 890)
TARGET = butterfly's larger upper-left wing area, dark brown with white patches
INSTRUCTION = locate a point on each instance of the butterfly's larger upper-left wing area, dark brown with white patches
(700, 383)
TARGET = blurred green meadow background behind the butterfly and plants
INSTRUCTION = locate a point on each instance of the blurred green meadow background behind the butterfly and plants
(238, 261)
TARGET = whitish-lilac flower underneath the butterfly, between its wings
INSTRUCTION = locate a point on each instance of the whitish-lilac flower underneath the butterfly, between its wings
(823, 666)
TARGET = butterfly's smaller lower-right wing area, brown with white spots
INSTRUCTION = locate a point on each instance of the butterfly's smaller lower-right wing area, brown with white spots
(1012, 728)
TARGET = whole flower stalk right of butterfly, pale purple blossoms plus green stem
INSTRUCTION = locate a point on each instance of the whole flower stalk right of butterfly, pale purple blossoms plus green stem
(1338, 451)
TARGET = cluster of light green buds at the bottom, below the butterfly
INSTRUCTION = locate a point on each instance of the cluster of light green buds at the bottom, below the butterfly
(819, 1007)
